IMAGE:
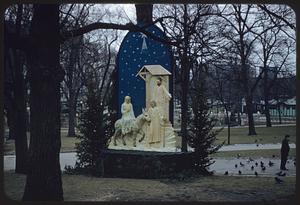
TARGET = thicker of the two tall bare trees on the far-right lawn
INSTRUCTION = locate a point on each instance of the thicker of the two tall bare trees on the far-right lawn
(239, 28)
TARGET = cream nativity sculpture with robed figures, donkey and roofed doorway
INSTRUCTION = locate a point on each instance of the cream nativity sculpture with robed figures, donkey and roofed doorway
(151, 130)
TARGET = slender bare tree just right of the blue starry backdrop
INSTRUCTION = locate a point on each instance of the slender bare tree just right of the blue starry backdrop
(185, 25)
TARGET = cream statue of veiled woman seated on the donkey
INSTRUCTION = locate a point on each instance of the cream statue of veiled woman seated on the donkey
(128, 118)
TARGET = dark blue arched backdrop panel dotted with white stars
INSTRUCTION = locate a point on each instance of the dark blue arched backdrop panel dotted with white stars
(136, 51)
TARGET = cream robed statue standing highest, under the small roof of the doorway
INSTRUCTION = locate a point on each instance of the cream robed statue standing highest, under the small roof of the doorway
(162, 97)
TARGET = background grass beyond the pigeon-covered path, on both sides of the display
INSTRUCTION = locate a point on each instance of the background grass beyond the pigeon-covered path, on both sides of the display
(273, 135)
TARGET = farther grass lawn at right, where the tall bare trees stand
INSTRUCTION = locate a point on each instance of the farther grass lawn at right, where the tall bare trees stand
(264, 135)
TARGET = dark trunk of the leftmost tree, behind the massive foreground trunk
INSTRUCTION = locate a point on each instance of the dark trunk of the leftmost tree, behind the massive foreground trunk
(15, 97)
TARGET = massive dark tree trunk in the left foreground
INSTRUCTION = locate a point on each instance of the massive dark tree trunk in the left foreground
(43, 181)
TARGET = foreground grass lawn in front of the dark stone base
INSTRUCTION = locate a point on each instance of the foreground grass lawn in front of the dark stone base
(214, 188)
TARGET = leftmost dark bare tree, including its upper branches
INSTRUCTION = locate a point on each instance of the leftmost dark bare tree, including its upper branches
(17, 18)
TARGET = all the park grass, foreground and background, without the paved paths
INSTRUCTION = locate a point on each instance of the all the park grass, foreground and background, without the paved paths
(213, 188)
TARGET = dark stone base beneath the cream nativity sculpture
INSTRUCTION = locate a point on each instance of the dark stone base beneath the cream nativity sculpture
(144, 164)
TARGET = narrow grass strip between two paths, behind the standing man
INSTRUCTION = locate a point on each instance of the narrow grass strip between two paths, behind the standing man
(268, 153)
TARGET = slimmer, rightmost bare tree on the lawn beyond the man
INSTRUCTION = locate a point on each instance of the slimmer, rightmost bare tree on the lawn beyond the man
(273, 50)
